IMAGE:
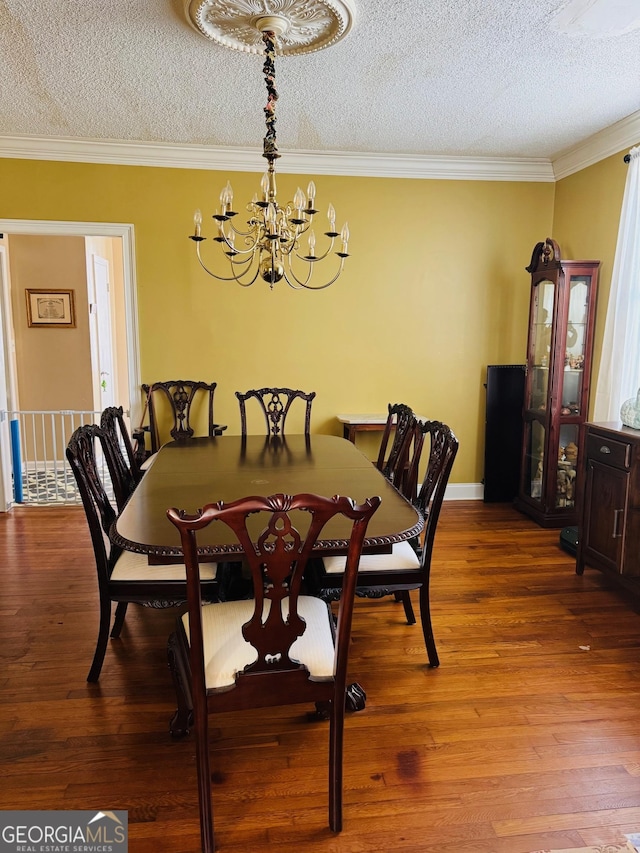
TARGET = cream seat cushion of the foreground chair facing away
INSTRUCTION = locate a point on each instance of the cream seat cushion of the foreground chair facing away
(226, 652)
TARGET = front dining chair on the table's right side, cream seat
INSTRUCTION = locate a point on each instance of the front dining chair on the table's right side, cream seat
(408, 567)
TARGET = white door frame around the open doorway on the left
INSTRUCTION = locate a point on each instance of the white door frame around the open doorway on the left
(53, 228)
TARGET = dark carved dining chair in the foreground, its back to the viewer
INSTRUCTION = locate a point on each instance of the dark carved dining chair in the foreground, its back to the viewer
(280, 648)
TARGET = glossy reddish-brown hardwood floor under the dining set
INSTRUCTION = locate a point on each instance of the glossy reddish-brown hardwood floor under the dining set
(526, 737)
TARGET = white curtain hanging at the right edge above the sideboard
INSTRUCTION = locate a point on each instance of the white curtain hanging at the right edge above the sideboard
(619, 376)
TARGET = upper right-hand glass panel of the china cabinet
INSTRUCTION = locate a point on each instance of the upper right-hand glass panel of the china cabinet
(576, 338)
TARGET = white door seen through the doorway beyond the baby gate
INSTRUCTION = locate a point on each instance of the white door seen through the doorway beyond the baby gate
(104, 393)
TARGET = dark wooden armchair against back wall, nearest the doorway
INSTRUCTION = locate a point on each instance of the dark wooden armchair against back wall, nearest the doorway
(174, 405)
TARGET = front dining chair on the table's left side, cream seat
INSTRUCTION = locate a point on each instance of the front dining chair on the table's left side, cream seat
(123, 576)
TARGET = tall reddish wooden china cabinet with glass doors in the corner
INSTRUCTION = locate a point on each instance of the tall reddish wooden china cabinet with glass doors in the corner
(559, 350)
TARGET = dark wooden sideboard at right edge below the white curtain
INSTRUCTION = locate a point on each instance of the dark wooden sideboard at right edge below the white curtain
(609, 533)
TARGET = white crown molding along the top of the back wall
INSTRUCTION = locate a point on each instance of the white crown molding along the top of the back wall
(294, 162)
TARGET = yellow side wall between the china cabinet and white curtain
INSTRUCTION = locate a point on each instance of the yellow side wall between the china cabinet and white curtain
(586, 217)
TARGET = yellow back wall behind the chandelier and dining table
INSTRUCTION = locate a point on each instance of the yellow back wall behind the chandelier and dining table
(434, 291)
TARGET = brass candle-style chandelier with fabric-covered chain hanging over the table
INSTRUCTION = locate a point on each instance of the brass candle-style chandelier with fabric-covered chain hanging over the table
(275, 242)
